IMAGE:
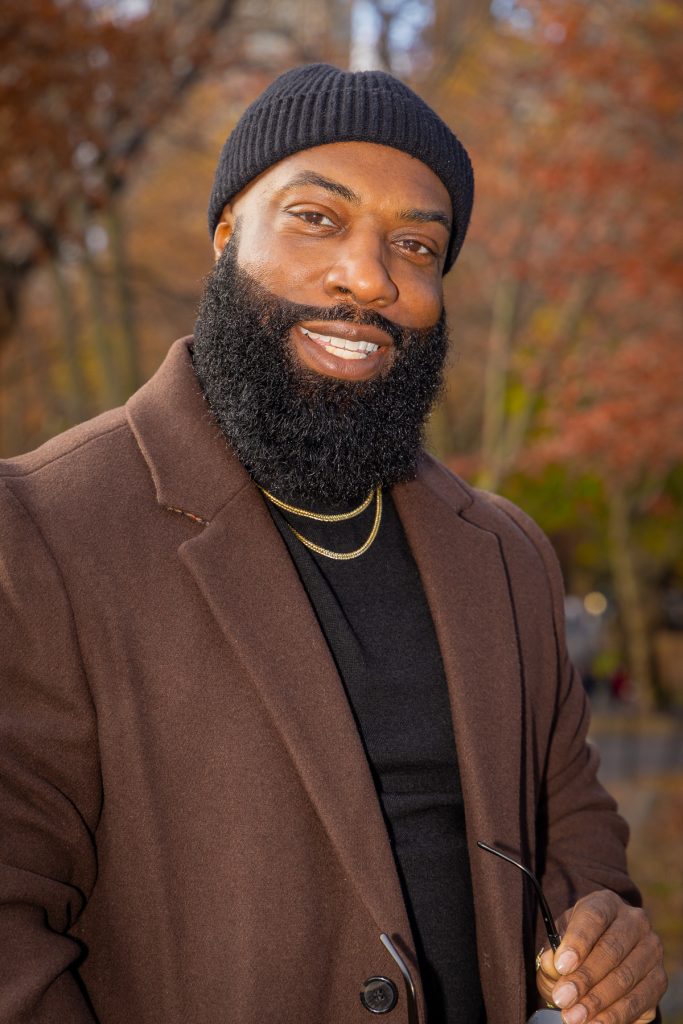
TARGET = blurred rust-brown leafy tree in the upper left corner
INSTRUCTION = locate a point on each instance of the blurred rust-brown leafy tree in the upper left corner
(84, 88)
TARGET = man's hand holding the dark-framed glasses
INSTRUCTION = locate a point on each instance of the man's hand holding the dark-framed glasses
(609, 968)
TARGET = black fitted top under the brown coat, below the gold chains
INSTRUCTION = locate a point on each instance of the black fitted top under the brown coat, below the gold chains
(374, 615)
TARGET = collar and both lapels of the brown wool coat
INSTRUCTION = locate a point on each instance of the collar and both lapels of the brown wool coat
(263, 610)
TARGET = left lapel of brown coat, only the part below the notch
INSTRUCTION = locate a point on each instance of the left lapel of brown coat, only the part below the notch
(251, 585)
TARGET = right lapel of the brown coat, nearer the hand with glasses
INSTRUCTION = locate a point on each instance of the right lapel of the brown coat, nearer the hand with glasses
(464, 577)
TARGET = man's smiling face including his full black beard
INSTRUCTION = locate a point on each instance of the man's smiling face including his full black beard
(344, 245)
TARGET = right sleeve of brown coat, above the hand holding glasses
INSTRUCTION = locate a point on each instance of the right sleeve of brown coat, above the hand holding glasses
(581, 839)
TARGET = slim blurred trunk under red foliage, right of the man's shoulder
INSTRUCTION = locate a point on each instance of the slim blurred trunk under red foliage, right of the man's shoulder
(630, 601)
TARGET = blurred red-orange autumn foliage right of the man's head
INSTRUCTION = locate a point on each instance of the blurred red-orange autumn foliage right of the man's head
(575, 133)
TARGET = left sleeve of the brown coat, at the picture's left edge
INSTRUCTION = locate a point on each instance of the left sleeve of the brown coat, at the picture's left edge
(51, 793)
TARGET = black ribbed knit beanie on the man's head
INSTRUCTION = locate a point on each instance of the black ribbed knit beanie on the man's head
(316, 105)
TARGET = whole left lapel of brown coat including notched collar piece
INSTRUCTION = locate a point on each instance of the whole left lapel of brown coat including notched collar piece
(247, 577)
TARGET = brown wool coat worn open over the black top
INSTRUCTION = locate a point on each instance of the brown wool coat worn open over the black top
(189, 829)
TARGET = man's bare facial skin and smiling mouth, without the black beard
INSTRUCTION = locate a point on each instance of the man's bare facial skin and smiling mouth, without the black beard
(352, 224)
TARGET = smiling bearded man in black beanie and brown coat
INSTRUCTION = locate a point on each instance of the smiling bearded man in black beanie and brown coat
(271, 673)
